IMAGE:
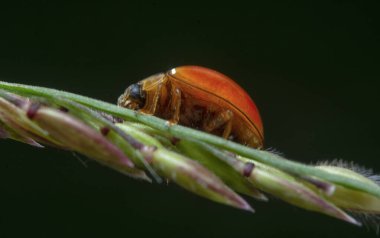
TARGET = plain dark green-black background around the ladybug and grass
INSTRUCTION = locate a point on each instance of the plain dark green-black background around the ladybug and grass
(312, 68)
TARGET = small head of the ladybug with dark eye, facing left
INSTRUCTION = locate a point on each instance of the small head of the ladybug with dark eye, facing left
(133, 97)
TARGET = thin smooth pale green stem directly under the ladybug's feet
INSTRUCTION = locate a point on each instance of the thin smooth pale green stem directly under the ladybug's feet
(264, 157)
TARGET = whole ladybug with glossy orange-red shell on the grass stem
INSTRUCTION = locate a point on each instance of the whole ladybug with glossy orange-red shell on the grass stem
(199, 98)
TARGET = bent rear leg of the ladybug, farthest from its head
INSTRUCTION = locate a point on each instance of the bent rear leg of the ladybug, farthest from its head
(222, 118)
